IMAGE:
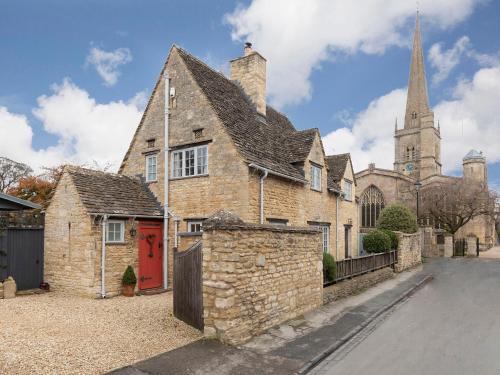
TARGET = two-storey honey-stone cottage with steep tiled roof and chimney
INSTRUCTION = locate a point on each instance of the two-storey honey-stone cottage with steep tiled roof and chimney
(228, 149)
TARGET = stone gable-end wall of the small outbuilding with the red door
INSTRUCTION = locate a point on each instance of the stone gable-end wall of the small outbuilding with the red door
(70, 245)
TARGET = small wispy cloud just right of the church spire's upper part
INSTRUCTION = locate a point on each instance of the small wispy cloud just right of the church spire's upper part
(445, 61)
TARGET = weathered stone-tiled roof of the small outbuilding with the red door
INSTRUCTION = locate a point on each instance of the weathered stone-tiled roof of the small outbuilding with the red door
(109, 193)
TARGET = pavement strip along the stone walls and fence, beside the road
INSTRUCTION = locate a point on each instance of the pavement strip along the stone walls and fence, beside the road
(292, 348)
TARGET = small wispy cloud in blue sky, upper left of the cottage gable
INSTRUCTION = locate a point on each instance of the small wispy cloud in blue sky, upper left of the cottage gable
(107, 63)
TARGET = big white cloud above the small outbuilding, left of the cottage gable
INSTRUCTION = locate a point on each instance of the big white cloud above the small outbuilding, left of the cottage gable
(87, 131)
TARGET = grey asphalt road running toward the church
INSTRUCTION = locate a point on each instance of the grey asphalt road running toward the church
(450, 326)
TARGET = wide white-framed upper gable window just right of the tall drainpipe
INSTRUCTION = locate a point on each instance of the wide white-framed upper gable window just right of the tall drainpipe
(190, 162)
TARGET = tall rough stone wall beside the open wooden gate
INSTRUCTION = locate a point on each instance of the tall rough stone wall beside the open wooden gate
(255, 277)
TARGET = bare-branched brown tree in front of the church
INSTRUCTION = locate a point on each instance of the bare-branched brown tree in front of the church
(455, 203)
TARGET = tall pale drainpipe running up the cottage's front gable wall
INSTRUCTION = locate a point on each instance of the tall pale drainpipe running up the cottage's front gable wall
(165, 180)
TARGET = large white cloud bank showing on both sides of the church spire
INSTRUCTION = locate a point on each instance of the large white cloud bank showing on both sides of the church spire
(468, 120)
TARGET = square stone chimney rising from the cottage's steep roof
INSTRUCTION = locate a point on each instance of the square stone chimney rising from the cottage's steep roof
(250, 72)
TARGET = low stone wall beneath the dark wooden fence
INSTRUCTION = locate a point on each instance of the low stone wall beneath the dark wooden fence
(356, 285)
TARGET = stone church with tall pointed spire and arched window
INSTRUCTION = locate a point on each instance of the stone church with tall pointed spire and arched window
(417, 162)
